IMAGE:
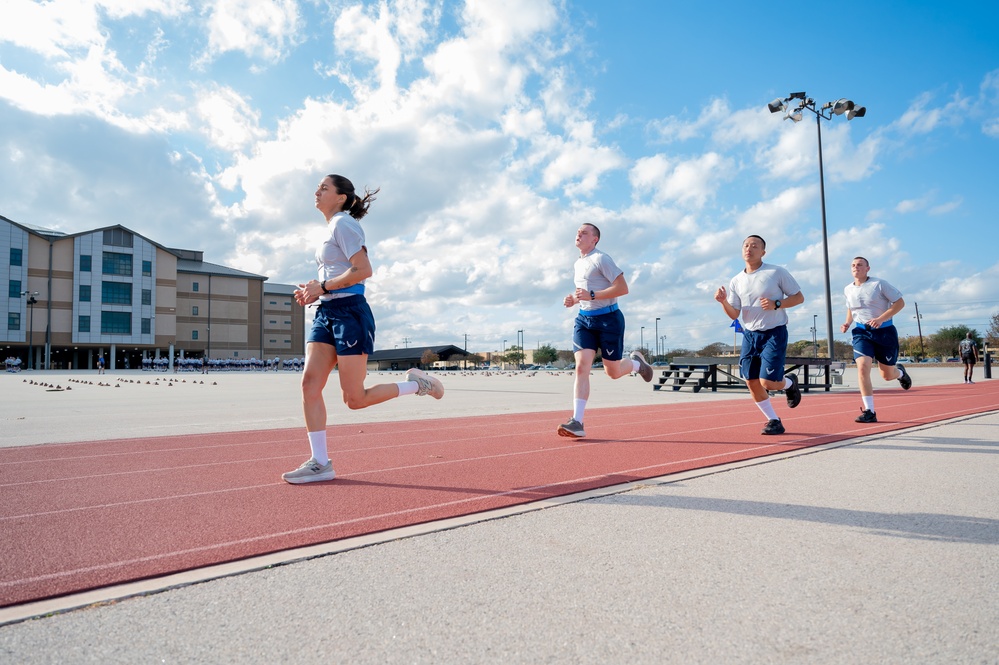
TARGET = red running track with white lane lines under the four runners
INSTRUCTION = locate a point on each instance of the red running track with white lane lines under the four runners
(80, 516)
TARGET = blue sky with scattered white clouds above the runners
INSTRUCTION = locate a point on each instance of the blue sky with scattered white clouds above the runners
(495, 128)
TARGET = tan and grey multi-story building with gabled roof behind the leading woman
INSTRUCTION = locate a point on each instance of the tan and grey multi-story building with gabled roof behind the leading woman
(72, 298)
